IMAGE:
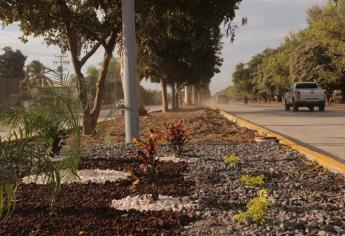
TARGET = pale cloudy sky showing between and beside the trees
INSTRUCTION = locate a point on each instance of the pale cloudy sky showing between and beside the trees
(269, 21)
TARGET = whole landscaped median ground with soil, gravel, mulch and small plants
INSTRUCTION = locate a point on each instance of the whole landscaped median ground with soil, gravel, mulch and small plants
(221, 183)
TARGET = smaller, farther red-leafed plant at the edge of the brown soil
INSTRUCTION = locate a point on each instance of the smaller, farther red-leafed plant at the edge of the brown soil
(177, 136)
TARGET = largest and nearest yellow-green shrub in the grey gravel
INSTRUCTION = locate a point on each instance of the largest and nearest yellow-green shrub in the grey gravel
(256, 209)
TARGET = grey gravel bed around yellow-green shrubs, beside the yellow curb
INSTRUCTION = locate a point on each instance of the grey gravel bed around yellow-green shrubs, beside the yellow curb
(307, 199)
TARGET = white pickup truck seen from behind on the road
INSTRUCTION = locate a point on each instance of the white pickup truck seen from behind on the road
(305, 94)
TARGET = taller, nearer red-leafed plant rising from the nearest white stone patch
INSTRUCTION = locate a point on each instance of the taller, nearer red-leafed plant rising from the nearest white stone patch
(147, 155)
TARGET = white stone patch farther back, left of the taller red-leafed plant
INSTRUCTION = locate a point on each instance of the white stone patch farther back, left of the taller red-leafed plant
(85, 176)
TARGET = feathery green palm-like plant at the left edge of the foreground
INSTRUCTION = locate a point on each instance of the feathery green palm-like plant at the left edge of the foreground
(33, 142)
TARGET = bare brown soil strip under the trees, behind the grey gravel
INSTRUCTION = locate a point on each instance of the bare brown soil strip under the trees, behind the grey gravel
(205, 126)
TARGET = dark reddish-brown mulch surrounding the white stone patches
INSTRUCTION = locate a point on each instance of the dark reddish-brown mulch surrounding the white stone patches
(84, 209)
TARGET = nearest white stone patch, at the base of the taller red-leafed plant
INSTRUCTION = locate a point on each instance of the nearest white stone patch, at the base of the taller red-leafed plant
(142, 203)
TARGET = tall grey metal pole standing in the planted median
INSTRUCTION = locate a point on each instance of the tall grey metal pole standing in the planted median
(129, 72)
